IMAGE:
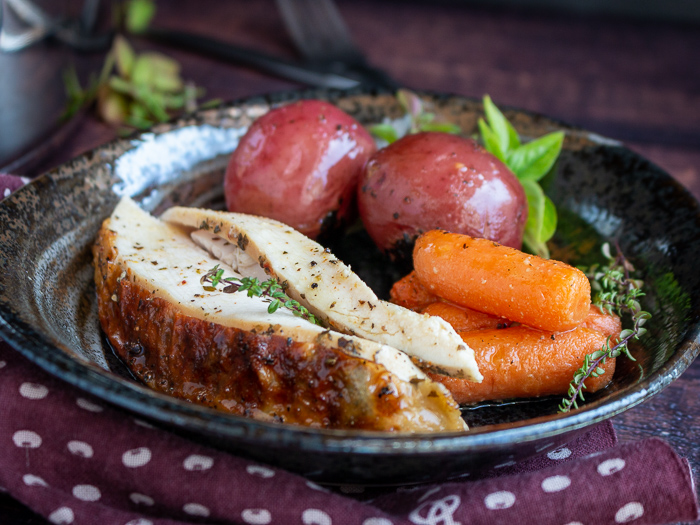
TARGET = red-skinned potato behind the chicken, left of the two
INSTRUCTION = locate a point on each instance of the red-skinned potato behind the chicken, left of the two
(299, 164)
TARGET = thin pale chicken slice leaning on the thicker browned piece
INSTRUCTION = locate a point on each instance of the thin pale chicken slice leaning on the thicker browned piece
(326, 286)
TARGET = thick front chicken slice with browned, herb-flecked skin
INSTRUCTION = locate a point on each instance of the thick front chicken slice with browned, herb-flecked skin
(226, 351)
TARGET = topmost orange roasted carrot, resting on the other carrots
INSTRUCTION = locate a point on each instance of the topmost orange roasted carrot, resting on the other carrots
(502, 281)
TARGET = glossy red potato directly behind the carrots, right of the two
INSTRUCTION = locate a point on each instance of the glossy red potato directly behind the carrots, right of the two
(434, 180)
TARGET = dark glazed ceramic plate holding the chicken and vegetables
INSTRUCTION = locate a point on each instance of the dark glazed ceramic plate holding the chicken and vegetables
(602, 190)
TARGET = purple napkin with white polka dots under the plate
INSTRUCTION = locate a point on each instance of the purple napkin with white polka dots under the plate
(75, 459)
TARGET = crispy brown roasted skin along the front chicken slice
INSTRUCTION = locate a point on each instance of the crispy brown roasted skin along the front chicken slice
(253, 373)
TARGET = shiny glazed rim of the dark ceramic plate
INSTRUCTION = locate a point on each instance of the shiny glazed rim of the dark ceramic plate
(139, 399)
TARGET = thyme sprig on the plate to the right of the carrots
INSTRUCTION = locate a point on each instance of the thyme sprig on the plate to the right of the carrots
(615, 292)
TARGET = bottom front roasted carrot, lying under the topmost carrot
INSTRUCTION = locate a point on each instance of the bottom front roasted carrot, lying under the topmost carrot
(521, 362)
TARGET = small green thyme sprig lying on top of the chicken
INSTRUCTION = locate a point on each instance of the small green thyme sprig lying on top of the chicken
(271, 290)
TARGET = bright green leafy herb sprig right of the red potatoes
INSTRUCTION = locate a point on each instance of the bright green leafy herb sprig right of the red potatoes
(529, 162)
